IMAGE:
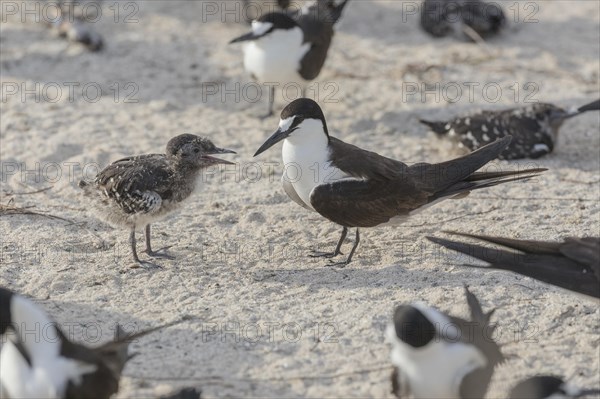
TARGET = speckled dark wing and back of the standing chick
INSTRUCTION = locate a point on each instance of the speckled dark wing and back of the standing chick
(137, 184)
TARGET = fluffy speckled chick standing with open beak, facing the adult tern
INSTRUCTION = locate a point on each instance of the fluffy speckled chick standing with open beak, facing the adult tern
(137, 191)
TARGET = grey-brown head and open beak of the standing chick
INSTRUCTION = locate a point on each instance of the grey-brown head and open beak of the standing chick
(195, 151)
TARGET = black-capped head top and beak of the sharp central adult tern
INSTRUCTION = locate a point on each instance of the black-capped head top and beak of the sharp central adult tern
(291, 117)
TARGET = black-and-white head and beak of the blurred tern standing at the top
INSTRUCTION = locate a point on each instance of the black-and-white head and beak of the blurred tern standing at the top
(273, 26)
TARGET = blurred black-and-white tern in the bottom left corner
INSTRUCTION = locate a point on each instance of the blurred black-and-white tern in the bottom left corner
(48, 364)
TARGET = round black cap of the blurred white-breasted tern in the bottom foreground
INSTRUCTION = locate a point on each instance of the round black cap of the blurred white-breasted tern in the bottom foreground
(412, 326)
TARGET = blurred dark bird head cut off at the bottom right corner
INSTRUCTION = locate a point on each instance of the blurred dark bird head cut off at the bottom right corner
(548, 387)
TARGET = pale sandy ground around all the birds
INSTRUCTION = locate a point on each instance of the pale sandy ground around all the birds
(265, 319)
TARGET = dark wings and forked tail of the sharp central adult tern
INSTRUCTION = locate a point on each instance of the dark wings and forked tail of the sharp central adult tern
(383, 188)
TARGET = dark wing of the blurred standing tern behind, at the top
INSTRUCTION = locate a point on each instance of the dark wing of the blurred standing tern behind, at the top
(318, 31)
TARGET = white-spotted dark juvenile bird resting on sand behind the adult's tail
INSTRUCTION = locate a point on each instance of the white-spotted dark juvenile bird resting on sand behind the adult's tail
(534, 128)
